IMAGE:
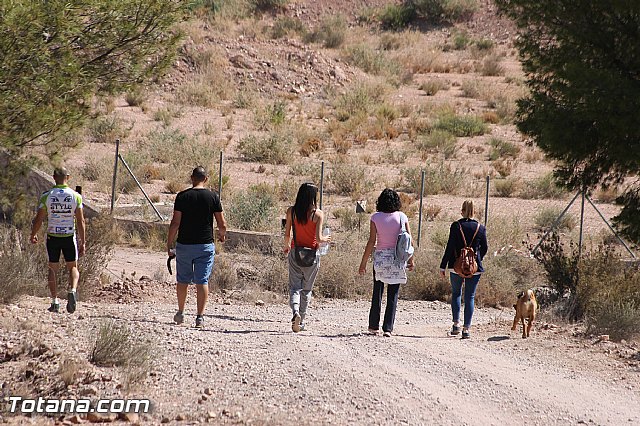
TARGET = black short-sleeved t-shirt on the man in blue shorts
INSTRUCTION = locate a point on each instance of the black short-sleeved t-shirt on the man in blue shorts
(197, 207)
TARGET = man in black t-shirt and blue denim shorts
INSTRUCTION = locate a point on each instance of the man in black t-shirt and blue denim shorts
(192, 222)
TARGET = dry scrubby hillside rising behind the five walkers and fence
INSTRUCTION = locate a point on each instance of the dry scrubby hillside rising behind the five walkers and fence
(280, 91)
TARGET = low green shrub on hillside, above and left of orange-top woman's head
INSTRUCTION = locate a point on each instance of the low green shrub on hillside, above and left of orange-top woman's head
(275, 148)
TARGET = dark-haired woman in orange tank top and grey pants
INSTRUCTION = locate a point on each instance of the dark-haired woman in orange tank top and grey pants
(307, 221)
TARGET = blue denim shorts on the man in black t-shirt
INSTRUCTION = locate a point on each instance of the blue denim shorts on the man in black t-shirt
(194, 263)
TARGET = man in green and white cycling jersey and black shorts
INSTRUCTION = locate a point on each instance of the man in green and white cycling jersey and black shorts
(62, 207)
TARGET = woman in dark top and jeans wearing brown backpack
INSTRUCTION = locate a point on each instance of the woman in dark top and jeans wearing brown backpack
(466, 247)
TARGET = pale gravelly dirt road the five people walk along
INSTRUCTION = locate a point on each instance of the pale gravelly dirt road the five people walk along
(248, 367)
